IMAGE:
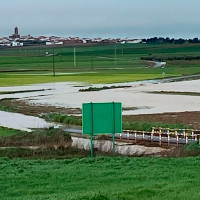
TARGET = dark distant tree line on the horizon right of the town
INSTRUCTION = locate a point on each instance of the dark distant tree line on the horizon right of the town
(167, 40)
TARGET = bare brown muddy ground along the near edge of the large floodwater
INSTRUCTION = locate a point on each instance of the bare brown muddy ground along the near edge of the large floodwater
(188, 118)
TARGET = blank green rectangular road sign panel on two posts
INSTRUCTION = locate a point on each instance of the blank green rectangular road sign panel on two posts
(101, 118)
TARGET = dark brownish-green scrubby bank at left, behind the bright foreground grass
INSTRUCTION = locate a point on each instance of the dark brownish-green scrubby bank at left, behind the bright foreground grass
(40, 144)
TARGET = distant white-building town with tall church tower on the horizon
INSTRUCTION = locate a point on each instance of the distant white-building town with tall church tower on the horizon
(15, 40)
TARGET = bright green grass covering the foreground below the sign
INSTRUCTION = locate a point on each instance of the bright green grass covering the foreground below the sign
(100, 178)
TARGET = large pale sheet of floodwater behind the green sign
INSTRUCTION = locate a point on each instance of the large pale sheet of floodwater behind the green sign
(137, 96)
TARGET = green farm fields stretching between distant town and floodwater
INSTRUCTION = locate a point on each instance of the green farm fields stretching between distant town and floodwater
(97, 64)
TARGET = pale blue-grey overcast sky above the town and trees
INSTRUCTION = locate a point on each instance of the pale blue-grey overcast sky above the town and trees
(101, 18)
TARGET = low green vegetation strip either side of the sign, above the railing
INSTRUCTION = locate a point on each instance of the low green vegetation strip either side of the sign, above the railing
(139, 126)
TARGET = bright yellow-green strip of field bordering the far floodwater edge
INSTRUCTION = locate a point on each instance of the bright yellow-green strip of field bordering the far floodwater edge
(13, 80)
